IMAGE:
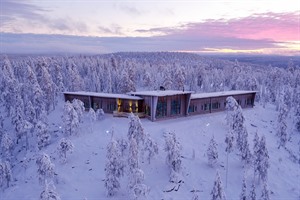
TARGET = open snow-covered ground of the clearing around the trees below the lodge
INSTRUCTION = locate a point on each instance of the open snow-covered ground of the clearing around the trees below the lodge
(83, 176)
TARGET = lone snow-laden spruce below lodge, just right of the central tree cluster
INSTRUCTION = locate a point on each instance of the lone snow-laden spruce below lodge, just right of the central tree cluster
(173, 160)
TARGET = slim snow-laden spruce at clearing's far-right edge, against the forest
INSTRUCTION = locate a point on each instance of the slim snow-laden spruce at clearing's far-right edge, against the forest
(282, 126)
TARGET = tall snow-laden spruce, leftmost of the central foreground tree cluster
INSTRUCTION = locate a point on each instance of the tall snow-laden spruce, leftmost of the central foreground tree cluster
(114, 168)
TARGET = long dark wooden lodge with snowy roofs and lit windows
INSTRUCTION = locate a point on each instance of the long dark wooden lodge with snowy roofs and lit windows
(161, 104)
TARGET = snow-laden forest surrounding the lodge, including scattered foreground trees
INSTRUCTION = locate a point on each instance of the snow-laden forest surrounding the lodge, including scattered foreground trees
(31, 89)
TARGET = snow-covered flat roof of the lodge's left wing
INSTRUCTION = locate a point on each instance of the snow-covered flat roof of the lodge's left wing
(105, 95)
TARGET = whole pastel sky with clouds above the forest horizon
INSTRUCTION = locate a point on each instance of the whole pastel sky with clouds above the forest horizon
(103, 26)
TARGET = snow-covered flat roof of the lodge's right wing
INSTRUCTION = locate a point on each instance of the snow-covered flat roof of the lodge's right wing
(219, 94)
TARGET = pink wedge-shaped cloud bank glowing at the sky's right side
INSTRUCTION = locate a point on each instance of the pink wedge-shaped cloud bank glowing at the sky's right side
(271, 26)
